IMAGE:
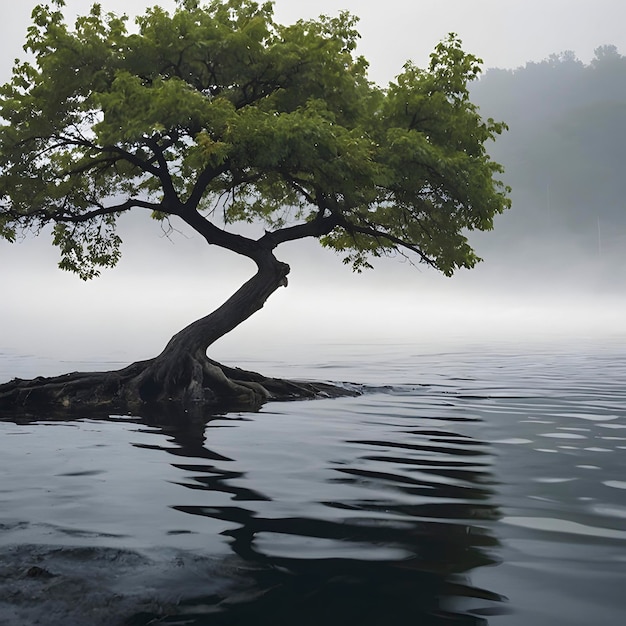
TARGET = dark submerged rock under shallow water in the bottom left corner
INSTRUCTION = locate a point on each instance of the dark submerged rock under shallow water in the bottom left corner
(101, 586)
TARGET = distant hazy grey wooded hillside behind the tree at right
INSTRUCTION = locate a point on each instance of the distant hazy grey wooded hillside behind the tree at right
(565, 152)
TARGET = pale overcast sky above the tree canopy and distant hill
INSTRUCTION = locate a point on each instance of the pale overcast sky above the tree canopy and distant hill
(504, 33)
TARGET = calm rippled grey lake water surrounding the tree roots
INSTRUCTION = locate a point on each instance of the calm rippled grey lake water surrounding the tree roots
(482, 484)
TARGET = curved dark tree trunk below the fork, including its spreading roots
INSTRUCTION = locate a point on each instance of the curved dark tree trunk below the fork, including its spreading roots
(182, 375)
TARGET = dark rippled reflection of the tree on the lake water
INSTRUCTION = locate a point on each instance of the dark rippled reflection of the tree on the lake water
(398, 549)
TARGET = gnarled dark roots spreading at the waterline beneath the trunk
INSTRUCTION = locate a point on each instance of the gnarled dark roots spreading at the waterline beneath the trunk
(190, 383)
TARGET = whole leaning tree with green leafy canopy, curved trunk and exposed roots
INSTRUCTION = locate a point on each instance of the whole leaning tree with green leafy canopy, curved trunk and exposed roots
(216, 115)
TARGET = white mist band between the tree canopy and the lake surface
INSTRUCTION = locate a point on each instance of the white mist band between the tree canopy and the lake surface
(164, 283)
